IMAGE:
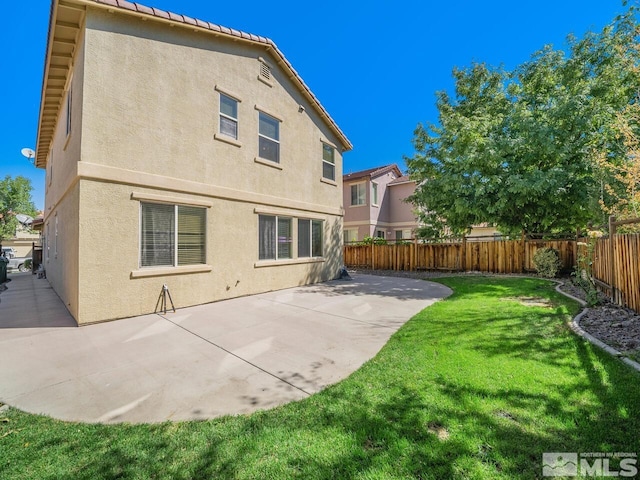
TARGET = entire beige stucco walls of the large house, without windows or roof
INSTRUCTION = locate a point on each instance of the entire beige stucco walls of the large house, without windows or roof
(149, 106)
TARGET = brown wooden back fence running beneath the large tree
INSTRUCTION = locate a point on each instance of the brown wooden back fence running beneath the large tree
(510, 256)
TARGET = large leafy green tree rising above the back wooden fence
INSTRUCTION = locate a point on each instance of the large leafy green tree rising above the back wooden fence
(518, 148)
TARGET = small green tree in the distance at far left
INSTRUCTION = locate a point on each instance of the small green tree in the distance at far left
(15, 198)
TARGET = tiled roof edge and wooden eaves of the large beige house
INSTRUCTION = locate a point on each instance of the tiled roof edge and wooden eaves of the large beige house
(65, 22)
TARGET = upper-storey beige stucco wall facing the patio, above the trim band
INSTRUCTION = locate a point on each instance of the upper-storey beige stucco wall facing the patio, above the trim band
(152, 106)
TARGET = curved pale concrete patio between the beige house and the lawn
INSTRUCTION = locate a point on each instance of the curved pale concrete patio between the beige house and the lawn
(230, 357)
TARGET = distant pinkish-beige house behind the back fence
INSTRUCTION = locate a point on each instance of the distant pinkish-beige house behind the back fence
(375, 205)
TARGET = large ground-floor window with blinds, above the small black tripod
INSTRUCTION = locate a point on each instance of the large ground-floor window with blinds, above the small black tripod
(172, 235)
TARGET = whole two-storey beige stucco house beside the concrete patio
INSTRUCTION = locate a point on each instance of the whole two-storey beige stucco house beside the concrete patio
(179, 153)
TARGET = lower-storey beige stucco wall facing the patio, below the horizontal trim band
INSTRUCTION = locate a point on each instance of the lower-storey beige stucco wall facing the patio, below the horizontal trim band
(112, 285)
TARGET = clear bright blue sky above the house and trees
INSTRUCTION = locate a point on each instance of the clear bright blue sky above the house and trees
(375, 66)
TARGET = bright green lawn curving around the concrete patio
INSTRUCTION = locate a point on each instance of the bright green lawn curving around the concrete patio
(476, 386)
